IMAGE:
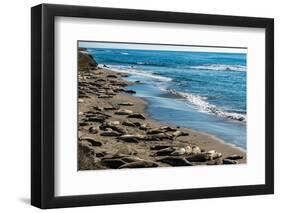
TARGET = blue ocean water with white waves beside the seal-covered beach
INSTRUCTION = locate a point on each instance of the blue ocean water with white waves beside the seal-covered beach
(204, 91)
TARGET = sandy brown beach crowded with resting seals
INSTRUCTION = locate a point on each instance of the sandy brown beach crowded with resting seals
(115, 132)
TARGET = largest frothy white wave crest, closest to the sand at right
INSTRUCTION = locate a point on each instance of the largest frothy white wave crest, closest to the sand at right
(203, 105)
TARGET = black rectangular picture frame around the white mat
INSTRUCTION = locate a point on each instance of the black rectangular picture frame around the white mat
(43, 105)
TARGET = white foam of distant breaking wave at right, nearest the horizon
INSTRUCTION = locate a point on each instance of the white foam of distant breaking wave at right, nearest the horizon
(220, 67)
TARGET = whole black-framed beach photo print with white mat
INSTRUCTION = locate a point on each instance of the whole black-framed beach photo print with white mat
(139, 106)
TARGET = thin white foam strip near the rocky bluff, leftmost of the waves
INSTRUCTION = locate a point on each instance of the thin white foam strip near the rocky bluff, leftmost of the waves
(133, 71)
